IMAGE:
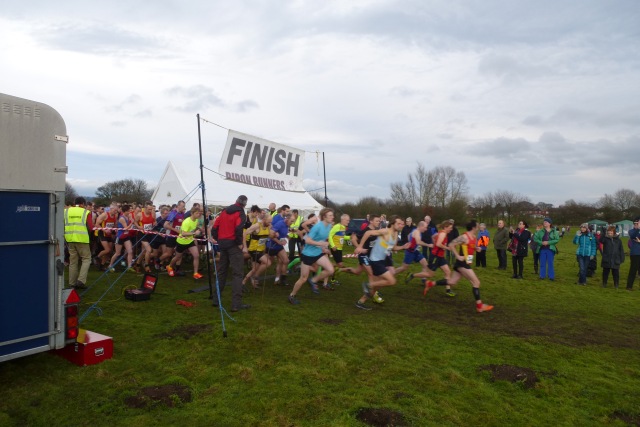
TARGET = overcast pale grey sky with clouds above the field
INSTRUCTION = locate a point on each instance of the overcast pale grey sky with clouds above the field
(540, 98)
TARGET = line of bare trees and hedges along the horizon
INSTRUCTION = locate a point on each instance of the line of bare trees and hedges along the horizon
(441, 192)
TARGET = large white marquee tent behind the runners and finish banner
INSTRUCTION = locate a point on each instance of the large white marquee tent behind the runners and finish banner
(181, 182)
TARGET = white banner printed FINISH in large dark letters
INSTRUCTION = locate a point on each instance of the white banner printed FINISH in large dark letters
(256, 161)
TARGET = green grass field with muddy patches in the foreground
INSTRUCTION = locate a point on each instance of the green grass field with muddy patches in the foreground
(549, 354)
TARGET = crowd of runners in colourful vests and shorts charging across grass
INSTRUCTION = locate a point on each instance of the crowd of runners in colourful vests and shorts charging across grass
(148, 238)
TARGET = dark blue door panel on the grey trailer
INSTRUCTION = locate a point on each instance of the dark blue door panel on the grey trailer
(26, 285)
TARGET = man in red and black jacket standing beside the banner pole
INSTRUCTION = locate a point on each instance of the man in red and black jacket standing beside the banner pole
(227, 230)
